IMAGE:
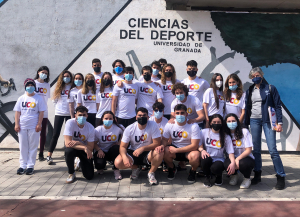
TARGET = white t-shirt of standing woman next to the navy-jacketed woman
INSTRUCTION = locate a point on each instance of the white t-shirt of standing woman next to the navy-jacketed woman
(234, 105)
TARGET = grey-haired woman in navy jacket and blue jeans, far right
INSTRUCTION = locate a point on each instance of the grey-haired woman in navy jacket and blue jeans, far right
(258, 98)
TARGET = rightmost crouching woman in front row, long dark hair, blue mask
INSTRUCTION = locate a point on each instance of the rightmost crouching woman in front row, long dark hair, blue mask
(242, 145)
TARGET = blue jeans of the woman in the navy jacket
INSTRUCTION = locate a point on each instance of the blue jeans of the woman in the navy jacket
(256, 125)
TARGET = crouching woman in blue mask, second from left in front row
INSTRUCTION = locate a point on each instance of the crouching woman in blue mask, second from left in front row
(107, 143)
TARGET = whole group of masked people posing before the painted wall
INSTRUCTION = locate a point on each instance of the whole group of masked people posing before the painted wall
(152, 121)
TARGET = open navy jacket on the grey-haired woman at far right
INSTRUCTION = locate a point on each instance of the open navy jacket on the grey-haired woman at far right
(268, 99)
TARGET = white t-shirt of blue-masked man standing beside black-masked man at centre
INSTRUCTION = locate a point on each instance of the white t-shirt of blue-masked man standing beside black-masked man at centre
(127, 94)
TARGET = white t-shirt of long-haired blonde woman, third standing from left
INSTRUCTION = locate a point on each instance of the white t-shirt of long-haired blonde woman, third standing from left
(62, 104)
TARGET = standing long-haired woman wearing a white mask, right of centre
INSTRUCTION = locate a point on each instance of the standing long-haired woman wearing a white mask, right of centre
(213, 99)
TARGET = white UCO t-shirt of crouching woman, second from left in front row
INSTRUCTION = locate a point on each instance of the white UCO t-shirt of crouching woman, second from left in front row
(106, 138)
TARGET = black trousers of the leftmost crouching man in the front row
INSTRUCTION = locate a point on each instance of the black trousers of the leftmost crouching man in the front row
(85, 163)
